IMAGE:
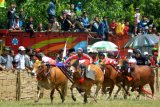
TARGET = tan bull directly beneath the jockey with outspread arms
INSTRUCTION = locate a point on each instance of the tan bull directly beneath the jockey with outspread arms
(87, 83)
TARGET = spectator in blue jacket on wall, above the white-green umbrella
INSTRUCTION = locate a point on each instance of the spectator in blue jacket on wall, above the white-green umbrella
(103, 29)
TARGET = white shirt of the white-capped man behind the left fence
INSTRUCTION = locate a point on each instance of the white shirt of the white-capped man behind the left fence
(20, 59)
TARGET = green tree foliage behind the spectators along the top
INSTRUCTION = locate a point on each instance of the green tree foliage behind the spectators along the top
(118, 9)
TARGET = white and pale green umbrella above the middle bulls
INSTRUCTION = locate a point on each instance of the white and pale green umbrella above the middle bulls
(104, 46)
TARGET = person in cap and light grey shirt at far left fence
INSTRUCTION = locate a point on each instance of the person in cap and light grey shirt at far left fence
(8, 58)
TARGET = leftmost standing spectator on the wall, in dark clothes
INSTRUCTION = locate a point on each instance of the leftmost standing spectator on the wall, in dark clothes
(11, 15)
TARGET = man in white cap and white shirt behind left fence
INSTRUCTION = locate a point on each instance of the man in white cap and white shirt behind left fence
(20, 58)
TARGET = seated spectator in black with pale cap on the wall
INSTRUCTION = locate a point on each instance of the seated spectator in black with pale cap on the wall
(67, 25)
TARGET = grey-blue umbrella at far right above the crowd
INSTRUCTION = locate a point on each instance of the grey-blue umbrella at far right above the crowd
(142, 41)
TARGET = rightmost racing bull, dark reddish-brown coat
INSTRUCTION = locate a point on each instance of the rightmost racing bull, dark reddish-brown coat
(141, 75)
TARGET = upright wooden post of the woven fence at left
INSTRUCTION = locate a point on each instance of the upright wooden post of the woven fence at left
(18, 87)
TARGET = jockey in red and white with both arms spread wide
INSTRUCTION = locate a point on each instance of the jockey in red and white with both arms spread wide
(81, 57)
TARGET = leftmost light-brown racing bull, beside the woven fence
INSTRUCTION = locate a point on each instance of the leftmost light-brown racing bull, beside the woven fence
(50, 80)
